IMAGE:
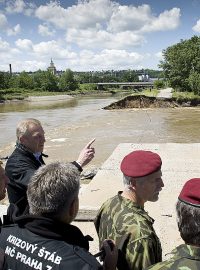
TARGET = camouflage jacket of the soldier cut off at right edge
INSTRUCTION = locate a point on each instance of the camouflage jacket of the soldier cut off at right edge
(184, 257)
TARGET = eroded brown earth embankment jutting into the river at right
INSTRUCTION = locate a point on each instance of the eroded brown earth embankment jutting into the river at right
(141, 101)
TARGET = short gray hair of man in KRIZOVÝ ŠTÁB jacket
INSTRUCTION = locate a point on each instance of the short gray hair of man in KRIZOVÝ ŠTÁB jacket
(53, 188)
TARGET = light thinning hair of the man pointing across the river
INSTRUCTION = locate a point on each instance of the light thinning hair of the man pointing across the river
(24, 125)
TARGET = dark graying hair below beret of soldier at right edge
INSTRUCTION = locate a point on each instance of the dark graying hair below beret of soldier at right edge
(188, 218)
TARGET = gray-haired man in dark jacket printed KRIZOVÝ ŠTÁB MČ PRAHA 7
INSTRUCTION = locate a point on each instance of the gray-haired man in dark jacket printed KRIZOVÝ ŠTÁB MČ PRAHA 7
(45, 239)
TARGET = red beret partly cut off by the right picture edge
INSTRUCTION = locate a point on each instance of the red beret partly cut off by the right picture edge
(190, 192)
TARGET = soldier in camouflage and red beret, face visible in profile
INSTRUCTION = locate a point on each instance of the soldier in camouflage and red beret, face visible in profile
(123, 218)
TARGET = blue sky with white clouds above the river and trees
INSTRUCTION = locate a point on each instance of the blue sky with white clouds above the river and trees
(94, 34)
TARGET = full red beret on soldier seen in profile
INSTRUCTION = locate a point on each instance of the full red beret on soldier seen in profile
(140, 163)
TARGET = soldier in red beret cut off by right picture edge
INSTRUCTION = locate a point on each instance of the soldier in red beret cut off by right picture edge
(186, 256)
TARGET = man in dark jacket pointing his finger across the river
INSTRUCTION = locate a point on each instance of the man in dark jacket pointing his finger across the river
(28, 157)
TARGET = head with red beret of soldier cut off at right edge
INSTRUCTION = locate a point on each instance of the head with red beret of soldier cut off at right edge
(188, 212)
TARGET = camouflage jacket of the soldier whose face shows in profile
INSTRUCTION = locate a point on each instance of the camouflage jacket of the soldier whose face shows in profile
(132, 230)
